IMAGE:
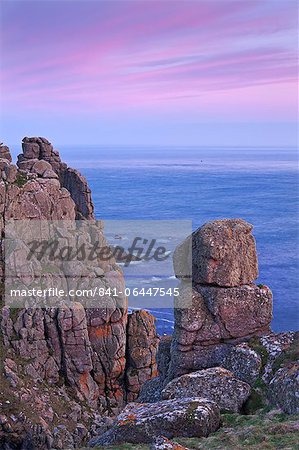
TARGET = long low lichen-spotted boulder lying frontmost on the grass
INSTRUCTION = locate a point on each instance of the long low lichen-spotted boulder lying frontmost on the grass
(143, 423)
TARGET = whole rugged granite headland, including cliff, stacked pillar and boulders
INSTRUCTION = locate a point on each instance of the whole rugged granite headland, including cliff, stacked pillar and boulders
(100, 376)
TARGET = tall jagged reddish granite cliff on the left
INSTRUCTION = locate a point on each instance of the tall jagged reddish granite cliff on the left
(76, 354)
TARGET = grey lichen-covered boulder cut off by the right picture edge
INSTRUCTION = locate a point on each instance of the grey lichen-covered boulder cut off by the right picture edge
(284, 388)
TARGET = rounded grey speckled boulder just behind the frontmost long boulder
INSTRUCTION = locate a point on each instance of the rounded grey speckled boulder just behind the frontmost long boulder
(216, 384)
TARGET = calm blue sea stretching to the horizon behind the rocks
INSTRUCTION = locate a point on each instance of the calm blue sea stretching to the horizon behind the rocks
(259, 185)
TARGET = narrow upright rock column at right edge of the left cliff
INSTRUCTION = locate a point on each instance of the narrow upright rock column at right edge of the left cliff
(142, 343)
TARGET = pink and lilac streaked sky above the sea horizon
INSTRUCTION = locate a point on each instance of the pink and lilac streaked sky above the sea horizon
(146, 61)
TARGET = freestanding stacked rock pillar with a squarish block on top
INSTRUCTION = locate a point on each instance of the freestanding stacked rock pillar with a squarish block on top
(223, 307)
